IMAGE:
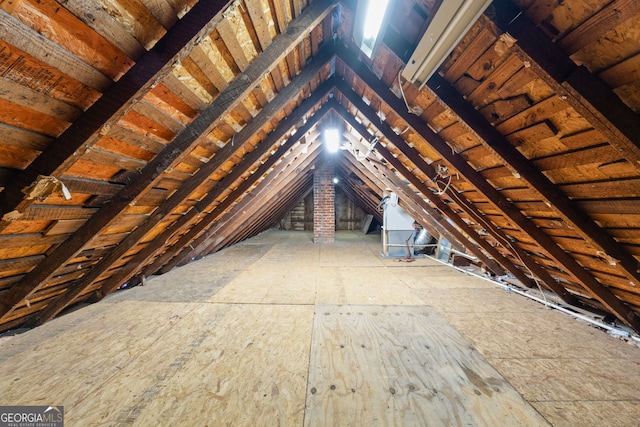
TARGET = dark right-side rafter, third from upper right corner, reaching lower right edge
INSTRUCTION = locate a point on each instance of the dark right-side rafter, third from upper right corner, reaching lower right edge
(589, 283)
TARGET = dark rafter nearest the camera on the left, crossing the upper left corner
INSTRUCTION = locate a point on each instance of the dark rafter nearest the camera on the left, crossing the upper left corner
(114, 102)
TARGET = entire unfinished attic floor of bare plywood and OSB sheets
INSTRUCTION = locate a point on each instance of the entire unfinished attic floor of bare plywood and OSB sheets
(278, 330)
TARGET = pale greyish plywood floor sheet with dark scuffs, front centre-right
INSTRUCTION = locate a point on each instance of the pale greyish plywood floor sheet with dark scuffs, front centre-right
(402, 365)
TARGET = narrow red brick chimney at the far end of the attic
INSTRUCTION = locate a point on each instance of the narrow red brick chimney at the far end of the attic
(324, 227)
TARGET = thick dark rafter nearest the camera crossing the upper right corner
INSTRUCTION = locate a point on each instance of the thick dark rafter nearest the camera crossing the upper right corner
(586, 93)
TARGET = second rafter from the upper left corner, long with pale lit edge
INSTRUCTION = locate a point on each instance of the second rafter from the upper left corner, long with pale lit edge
(179, 147)
